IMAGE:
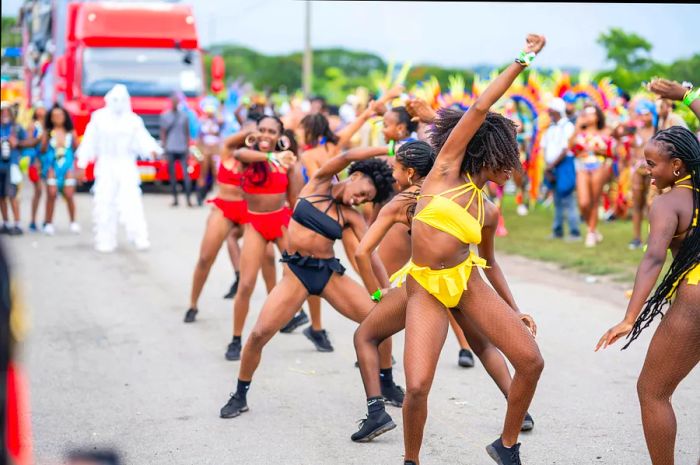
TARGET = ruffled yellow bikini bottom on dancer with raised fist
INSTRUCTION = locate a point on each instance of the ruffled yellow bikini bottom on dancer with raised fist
(446, 285)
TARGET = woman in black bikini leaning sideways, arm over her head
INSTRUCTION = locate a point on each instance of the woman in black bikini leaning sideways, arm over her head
(323, 210)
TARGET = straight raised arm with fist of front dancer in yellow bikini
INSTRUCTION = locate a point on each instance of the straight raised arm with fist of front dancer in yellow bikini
(450, 157)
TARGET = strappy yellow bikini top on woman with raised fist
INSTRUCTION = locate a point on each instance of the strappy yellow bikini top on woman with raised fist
(446, 215)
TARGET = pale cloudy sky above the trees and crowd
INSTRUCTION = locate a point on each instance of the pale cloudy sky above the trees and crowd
(448, 34)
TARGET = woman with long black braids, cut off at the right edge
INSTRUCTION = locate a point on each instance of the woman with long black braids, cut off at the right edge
(673, 159)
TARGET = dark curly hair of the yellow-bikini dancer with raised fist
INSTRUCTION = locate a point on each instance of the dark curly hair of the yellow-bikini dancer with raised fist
(493, 146)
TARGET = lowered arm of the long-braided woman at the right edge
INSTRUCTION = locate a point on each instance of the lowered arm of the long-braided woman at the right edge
(663, 222)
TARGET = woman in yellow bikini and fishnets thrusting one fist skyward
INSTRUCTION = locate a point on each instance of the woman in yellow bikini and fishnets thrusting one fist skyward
(473, 147)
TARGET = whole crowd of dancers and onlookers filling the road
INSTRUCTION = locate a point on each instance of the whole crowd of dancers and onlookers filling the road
(407, 190)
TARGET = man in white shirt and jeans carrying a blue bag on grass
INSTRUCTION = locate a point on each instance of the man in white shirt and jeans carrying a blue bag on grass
(560, 170)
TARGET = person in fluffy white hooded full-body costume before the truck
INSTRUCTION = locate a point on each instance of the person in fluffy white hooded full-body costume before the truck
(114, 137)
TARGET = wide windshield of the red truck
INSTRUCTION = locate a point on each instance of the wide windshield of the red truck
(146, 72)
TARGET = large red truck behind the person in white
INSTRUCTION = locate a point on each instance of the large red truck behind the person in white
(88, 47)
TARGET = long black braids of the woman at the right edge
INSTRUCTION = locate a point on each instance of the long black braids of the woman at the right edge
(677, 142)
